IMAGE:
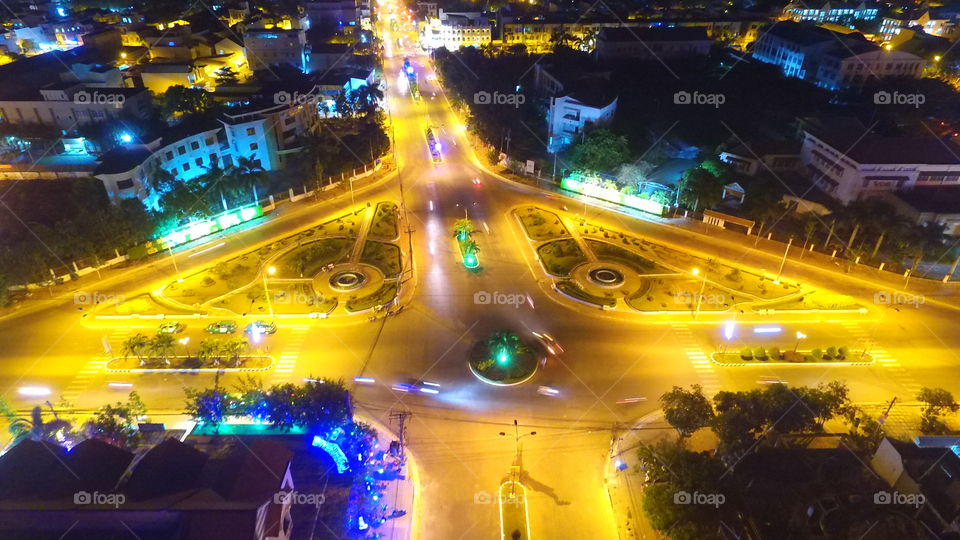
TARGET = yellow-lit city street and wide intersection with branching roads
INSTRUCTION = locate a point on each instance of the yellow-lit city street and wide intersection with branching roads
(455, 435)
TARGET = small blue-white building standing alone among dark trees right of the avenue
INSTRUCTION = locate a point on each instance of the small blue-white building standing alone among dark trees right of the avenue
(577, 102)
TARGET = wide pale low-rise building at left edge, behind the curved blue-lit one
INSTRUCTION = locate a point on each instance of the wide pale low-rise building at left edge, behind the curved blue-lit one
(69, 104)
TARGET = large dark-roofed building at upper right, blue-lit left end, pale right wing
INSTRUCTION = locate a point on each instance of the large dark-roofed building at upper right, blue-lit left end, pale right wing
(830, 59)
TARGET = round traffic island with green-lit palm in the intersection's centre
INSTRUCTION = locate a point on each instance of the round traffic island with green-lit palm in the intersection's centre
(504, 359)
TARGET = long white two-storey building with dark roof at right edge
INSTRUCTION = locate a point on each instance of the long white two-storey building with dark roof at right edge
(849, 165)
